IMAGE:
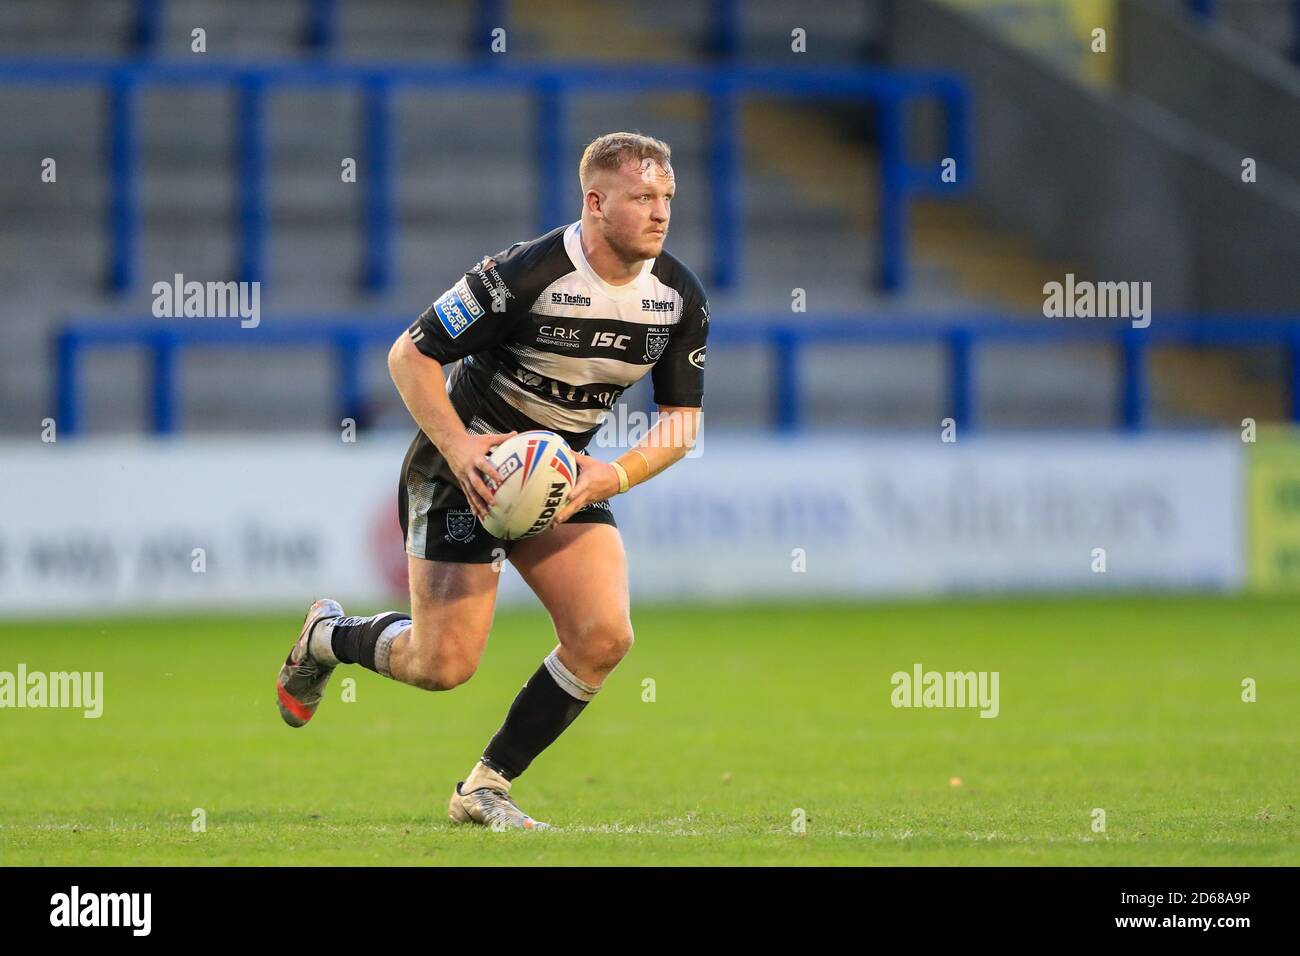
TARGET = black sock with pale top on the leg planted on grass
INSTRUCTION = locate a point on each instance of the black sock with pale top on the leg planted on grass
(539, 716)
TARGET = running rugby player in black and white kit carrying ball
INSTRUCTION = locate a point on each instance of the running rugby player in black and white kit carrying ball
(548, 334)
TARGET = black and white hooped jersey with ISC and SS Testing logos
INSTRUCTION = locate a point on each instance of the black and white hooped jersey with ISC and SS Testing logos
(541, 341)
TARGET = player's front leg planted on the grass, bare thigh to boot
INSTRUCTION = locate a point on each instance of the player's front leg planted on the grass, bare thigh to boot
(579, 572)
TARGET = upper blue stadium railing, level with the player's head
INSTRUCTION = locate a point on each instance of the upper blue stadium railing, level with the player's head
(553, 88)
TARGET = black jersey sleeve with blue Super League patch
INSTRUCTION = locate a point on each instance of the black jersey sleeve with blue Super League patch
(478, 313)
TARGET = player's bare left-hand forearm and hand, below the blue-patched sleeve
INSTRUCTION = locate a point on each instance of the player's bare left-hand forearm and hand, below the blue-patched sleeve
(421, 383)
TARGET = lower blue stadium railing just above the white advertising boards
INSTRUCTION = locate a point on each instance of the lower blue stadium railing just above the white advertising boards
(963, 336)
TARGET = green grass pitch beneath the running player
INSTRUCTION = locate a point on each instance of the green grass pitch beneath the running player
(1129, 706)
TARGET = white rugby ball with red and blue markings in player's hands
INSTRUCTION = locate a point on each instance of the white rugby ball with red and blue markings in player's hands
(538, 471)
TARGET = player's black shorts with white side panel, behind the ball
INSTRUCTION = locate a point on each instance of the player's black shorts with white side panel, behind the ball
(439, 525)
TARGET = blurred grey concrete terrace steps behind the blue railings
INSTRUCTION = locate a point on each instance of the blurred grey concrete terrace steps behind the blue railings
(467, 188)
